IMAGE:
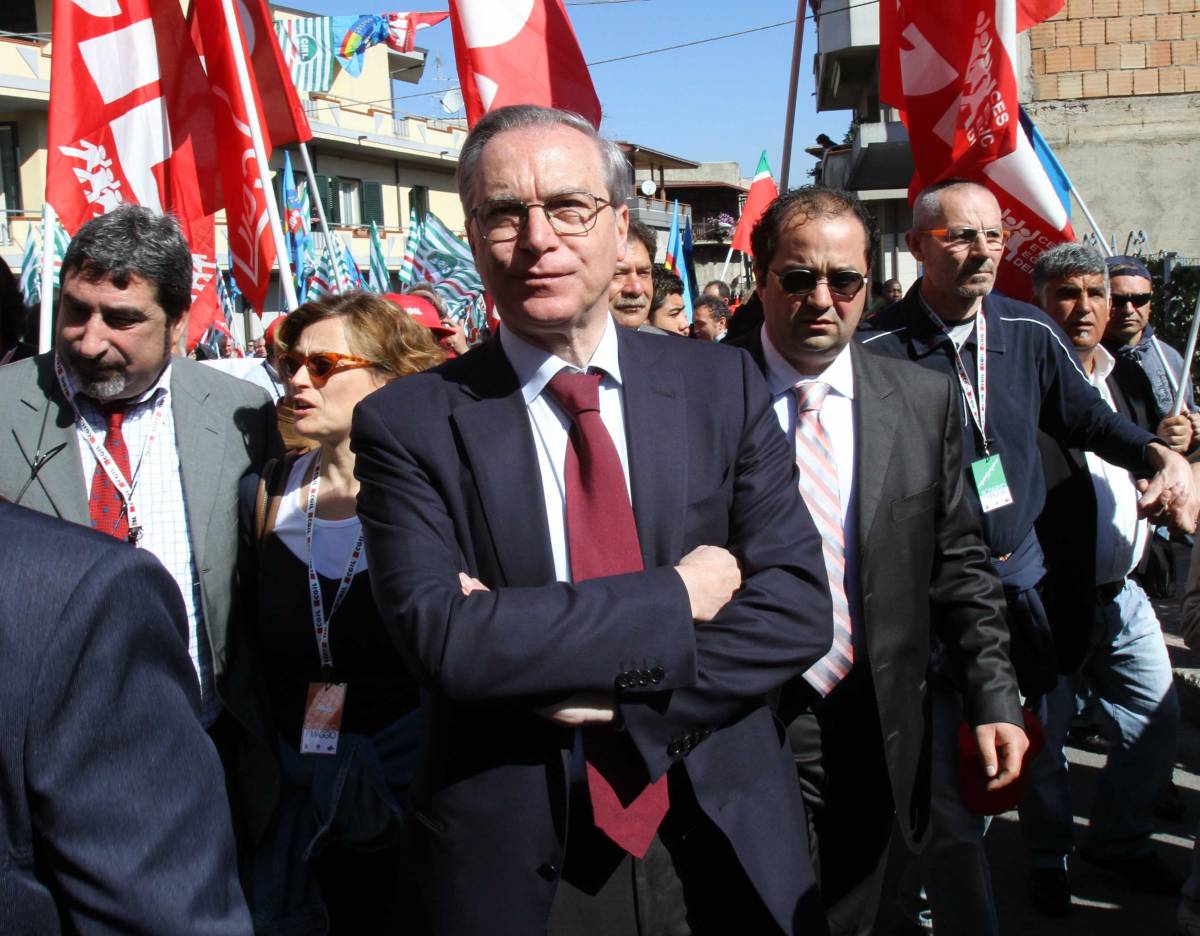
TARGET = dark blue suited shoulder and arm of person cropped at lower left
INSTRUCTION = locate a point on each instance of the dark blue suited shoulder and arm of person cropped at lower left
(113, 814)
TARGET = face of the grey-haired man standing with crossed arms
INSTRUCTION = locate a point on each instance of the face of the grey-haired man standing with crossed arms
(544, 283)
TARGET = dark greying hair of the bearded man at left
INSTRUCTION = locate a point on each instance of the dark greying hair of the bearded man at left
(133, 241)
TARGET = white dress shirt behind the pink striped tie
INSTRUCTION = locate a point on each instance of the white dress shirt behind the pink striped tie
(837, 418)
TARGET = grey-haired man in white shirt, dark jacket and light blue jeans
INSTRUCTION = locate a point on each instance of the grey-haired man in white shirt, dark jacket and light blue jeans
(1106, 628)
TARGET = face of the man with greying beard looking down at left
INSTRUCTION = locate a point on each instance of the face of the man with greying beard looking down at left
(115, 341)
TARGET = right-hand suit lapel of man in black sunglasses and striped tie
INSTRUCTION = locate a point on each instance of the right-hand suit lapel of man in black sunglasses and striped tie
(874, 439)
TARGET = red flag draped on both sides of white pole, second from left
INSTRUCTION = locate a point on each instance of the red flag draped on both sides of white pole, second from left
(283, 121)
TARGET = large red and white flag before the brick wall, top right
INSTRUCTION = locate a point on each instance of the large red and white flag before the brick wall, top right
(951, 70)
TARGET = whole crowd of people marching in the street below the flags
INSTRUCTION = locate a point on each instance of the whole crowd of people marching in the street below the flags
(584, 629)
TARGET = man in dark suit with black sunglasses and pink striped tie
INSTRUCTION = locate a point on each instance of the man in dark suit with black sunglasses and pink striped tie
(881, 445)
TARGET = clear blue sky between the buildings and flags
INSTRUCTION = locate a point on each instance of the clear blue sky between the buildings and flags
(719, 101)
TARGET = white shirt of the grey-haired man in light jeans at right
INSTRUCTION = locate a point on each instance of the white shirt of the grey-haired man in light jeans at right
(1120, 535)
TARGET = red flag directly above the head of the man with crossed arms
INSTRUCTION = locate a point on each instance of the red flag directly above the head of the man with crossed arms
(520, 53)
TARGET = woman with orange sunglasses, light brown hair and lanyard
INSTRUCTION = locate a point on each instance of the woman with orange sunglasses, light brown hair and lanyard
(333, 705)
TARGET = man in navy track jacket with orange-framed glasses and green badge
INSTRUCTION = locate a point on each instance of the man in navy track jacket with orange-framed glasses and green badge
(1016, 374)
